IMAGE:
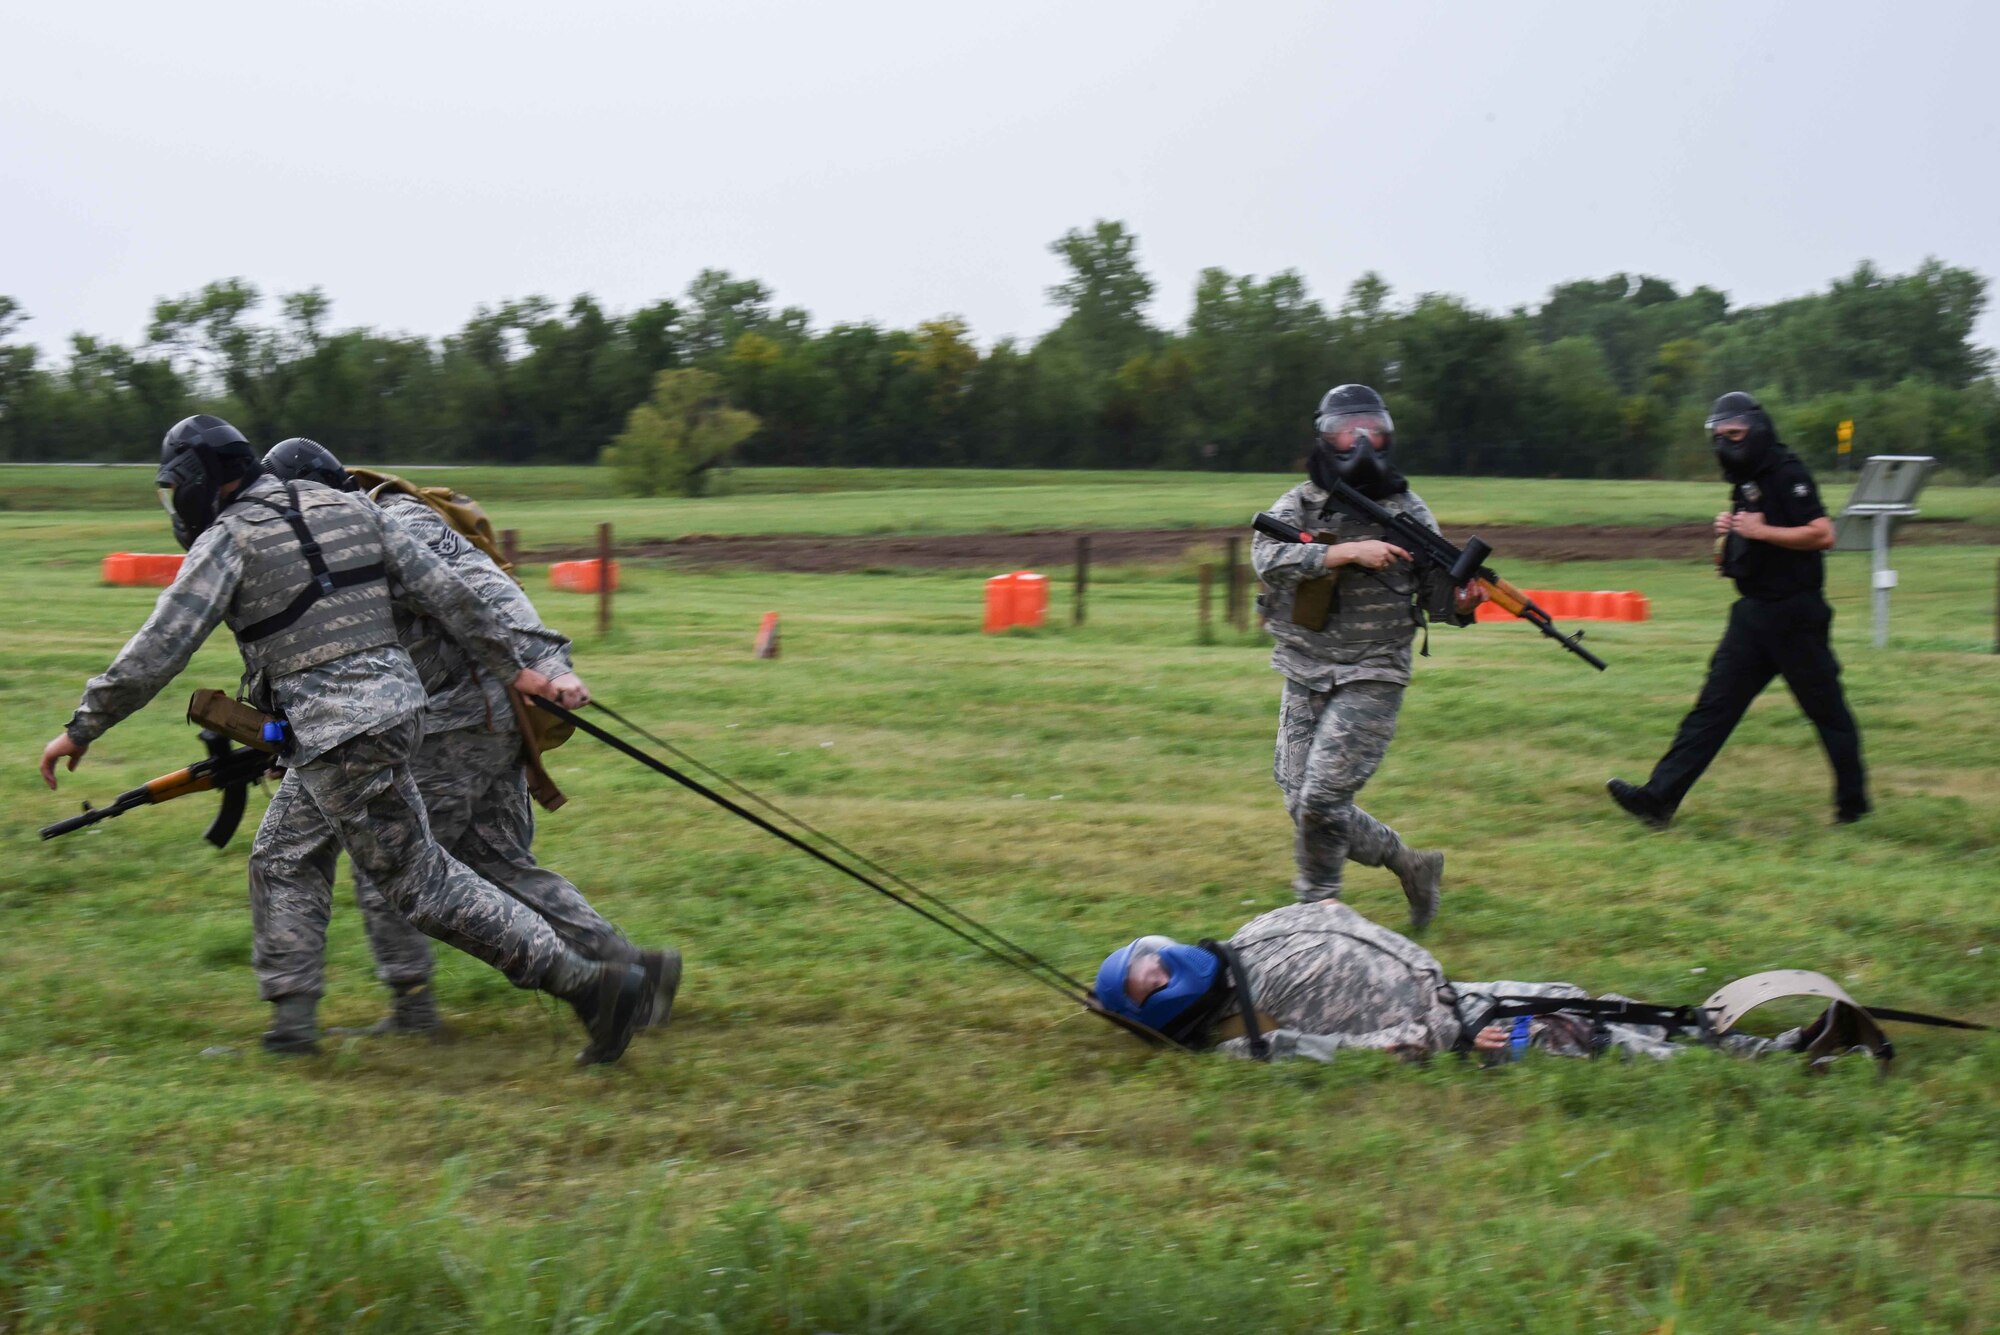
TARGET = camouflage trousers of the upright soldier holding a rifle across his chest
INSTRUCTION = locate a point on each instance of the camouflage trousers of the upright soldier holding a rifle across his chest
(1329, 746)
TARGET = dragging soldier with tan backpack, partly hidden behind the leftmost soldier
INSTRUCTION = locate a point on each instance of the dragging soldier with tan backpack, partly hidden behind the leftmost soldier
(469, 770)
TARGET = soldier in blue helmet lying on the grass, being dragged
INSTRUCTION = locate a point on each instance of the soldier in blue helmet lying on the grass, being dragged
(1325, 978)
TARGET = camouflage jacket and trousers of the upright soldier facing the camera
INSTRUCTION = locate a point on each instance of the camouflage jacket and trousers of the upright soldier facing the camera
(1343, 686)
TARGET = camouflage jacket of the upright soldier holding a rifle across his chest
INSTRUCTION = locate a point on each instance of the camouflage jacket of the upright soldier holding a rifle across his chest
(1321, 661)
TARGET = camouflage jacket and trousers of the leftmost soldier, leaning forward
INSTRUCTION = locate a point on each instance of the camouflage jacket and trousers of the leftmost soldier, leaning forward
(355, 726)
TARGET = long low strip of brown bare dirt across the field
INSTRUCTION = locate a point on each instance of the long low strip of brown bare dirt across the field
(1051, 549)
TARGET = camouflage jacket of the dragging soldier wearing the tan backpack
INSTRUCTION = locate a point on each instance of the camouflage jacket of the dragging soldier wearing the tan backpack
(459, 694)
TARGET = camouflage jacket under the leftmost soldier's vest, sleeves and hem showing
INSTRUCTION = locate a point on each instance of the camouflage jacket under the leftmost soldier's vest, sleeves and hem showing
(327, 704)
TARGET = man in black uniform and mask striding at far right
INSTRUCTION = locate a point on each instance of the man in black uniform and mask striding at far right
(1773, 543)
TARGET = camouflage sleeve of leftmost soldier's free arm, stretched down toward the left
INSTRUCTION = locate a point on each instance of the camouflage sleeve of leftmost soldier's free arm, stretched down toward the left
(185, 617)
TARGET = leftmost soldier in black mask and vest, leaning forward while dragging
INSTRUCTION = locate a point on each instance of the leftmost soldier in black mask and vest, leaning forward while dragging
(301, 577)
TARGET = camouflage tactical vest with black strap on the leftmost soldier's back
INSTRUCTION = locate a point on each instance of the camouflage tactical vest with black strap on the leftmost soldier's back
(313, 587)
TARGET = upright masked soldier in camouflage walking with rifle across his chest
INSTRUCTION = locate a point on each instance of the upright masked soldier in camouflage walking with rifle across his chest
(1345, 617)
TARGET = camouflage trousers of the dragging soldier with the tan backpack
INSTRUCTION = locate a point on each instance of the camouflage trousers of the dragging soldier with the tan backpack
(477, 798)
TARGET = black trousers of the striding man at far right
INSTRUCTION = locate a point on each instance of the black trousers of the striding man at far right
(1769, 641)
